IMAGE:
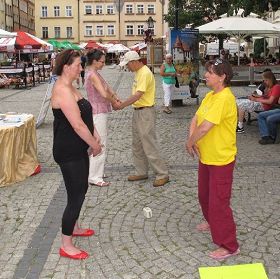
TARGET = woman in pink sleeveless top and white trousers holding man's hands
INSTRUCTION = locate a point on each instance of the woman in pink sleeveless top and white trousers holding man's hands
(101, 98)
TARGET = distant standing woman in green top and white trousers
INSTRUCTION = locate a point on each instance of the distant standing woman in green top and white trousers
(168, 73)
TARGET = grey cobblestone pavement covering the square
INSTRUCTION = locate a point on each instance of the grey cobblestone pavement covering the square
(127, 245)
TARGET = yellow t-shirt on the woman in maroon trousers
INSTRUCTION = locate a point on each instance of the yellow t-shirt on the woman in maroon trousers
(218, 146)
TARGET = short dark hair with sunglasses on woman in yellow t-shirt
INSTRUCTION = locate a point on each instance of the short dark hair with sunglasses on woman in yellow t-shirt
(219, 67)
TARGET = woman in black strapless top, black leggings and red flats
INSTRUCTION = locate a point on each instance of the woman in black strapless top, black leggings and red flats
(74, 140)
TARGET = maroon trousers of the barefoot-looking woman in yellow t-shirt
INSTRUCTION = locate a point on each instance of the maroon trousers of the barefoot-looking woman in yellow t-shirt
(214, 192)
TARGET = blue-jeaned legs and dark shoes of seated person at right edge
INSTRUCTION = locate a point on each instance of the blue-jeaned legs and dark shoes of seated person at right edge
(267, 121)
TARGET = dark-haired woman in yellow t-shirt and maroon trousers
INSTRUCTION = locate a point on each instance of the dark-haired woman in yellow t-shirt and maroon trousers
(212, 137)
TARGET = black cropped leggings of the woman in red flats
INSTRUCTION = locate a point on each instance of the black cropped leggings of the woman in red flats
(75, 175)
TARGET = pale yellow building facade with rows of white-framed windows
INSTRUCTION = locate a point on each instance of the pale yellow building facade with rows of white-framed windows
(102, 21)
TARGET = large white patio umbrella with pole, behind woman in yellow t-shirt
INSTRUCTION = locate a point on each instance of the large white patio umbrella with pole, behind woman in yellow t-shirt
(239, 27)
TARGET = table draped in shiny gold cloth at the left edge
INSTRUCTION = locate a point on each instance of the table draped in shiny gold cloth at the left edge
(18, 151)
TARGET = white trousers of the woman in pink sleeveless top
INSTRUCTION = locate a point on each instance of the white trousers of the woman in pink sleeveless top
(96, 164)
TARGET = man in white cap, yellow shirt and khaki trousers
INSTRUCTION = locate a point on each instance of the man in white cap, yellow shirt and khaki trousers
(144, 143)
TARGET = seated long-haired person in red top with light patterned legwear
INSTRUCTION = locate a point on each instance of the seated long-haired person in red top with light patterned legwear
(259, 103)
